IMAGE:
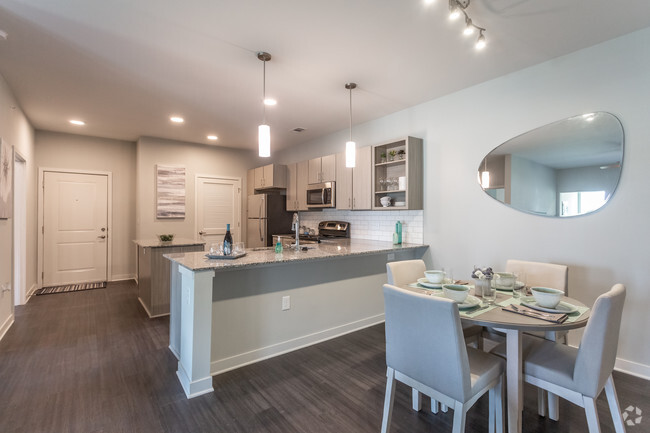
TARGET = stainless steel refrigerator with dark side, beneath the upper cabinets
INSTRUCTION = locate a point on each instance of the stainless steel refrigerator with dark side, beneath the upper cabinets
(266, 217)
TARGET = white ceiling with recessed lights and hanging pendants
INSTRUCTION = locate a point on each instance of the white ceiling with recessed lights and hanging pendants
(125, 66)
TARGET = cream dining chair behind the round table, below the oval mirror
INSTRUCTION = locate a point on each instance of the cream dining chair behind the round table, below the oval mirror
(539, 274)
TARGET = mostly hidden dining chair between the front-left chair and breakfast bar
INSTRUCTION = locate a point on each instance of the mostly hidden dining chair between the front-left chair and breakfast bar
(405, 272)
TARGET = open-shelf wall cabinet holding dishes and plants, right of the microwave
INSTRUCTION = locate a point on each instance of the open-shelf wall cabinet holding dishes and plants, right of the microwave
(397, 178)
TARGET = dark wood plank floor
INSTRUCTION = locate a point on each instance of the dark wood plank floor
(92, 362)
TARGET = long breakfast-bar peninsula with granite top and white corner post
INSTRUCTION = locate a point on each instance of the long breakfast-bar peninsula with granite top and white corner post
(230, 313)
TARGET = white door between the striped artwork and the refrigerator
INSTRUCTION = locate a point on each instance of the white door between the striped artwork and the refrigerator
(218, 203)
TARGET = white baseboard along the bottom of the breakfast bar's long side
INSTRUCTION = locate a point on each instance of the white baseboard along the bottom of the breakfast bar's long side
(222, 365)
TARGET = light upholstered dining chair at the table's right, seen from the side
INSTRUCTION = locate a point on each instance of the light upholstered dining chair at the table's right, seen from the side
(579, 375)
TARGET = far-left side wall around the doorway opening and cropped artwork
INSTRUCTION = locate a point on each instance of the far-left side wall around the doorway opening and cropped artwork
(16, 130)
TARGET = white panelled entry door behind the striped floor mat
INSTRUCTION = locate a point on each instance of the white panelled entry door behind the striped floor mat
(75, 235)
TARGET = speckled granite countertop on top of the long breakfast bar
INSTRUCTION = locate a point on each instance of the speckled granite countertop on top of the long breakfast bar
(198, 261)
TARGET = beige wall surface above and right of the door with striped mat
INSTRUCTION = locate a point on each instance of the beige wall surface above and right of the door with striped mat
(79, 152)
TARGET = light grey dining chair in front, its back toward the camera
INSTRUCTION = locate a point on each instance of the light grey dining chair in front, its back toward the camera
(425, 350)
